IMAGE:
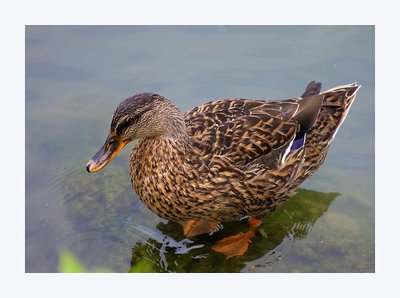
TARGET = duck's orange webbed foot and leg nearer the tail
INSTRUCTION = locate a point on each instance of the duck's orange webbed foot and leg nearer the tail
(237, 245)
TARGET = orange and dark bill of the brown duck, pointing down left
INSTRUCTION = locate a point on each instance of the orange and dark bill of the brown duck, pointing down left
(109, 150)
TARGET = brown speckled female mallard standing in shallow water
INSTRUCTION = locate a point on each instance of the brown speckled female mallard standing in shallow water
(225, 159)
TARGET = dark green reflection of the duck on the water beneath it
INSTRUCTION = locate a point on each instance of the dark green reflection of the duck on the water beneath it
(167, 250)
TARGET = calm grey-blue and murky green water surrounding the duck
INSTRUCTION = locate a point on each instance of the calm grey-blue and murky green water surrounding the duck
(75, 77)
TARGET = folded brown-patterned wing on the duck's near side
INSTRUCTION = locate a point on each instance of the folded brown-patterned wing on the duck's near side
(245, 130)
